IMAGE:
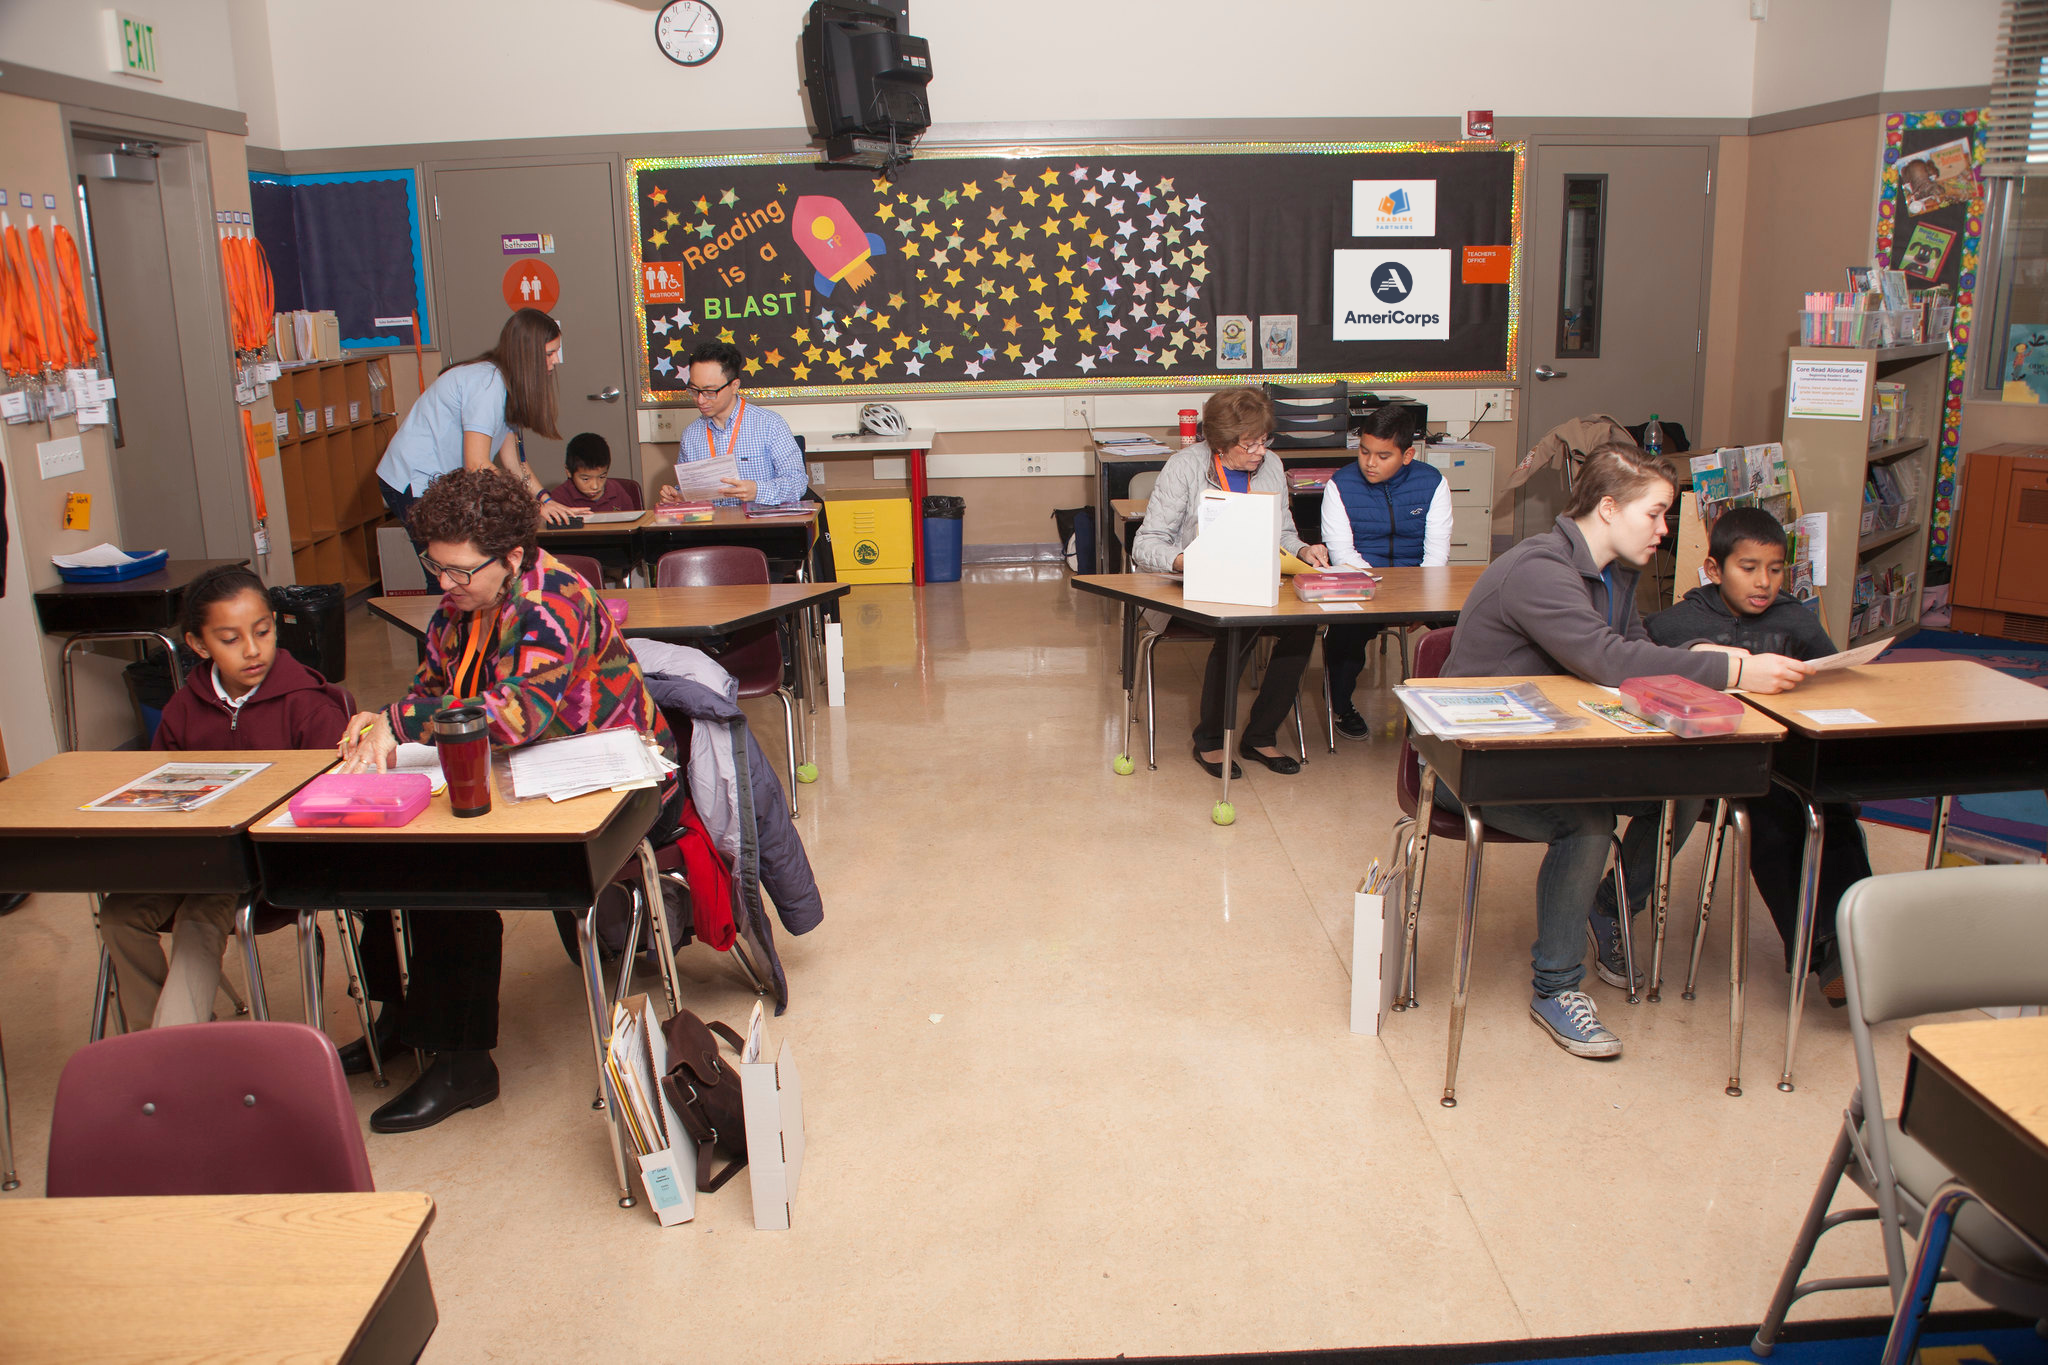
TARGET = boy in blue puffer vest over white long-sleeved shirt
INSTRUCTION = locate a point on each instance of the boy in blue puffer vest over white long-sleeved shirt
(1383, 511)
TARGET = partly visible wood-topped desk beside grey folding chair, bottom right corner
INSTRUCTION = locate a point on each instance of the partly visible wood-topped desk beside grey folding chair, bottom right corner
(1977, 1098)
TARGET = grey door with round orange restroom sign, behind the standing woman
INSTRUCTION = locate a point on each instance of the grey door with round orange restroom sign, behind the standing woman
(484, 222)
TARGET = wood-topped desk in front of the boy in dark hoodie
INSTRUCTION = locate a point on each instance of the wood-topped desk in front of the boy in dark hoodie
(1938, 730)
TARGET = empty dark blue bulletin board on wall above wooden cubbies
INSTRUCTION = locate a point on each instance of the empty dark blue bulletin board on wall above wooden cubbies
(347, 243)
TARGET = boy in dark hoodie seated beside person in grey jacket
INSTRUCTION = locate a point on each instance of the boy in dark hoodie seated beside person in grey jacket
(1746, 607)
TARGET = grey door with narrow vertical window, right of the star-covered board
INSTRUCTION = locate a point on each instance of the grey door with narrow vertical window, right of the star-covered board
(1617, 275)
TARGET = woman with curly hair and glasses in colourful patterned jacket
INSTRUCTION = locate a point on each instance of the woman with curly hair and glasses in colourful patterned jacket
(527, 640)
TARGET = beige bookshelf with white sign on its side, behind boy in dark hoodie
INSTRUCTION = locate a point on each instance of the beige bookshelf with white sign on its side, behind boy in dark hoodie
(1834, 459)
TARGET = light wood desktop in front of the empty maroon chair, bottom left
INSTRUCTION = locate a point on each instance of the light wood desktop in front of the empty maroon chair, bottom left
(220, 1278)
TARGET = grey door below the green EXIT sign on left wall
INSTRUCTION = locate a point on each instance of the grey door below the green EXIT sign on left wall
(157, 480)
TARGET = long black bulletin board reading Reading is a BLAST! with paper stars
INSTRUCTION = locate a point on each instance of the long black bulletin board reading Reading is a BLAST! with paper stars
(1076, 269)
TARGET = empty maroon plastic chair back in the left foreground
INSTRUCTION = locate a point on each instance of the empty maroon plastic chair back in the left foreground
(208, 1110)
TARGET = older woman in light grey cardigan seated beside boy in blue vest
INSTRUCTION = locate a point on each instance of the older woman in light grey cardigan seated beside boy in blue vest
(1234, 457)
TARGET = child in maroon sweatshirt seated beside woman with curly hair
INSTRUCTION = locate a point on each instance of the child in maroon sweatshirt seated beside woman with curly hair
(245, 695)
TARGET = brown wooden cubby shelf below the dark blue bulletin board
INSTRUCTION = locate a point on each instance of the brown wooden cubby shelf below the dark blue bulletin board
(335, 423)
